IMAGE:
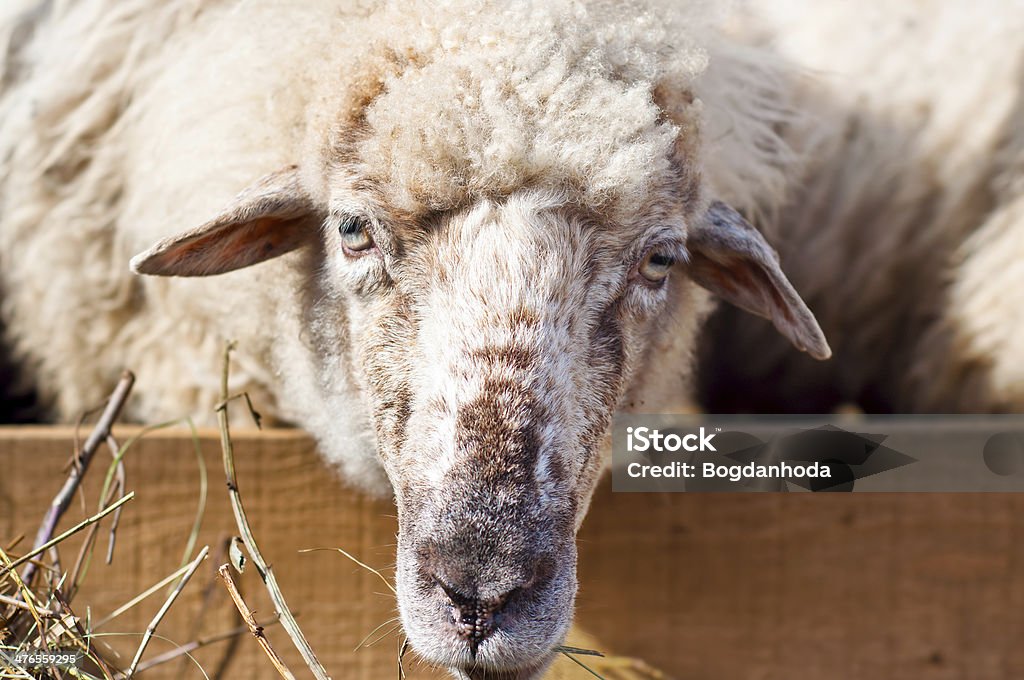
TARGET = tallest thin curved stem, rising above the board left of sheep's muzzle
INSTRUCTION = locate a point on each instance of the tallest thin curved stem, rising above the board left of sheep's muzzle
(266, 573)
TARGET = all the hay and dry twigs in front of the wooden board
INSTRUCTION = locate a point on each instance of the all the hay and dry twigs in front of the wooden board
(36, 612)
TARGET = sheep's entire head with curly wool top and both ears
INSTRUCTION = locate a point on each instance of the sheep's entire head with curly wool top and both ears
(493, 279)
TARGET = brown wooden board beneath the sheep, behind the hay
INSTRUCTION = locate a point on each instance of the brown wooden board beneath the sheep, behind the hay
(759, 587)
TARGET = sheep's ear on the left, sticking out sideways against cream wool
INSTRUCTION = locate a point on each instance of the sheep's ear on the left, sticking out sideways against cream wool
(270, 219)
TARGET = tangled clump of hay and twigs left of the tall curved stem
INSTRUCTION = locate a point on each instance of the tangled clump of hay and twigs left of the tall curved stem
(36, 613)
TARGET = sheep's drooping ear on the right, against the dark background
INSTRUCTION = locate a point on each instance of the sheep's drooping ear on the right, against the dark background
(732, 260)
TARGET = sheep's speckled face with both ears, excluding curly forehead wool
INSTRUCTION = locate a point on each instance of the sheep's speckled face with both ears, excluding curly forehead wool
(490, 346)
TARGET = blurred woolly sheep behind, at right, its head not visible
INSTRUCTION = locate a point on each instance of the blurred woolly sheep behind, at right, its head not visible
(906, 232)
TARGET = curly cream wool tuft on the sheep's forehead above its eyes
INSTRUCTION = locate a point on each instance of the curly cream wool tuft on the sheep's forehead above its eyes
(491, 98)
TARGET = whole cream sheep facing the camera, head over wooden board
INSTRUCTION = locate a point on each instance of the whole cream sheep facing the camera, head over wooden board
(480, 230)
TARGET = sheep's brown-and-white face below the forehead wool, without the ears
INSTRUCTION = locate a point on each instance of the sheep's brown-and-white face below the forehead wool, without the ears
(493, 345)
